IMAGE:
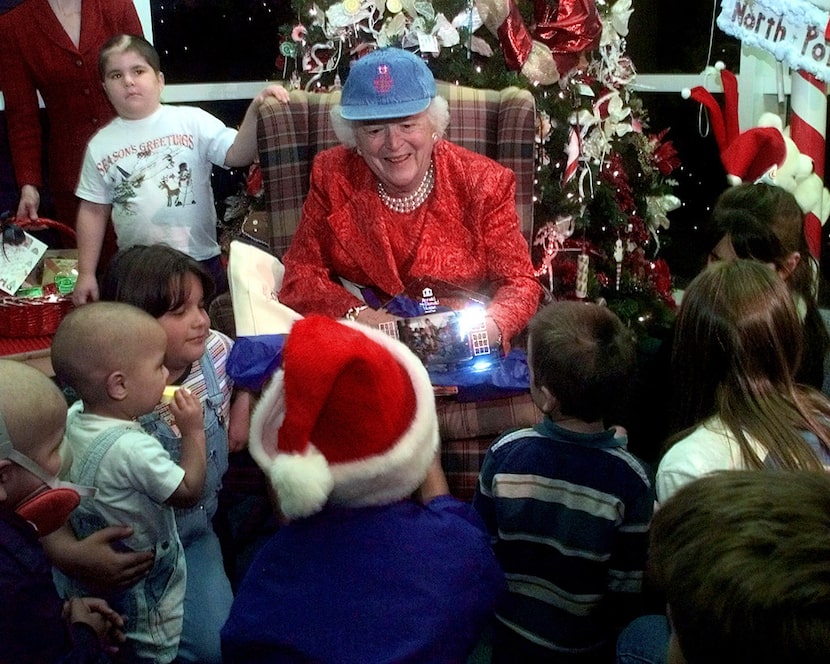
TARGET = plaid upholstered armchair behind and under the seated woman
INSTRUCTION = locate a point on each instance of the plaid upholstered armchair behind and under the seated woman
(498, 123)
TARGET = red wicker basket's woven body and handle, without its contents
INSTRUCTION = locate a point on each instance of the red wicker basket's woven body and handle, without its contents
(35, 316)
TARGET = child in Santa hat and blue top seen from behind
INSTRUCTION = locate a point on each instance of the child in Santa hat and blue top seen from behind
(377, 562)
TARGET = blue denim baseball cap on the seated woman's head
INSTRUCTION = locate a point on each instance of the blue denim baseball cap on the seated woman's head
(387, 83)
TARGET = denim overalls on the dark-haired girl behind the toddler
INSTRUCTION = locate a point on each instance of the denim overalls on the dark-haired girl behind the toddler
(208, 595)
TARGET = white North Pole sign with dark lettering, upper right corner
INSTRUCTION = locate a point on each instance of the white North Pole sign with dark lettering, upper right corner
(794, 31)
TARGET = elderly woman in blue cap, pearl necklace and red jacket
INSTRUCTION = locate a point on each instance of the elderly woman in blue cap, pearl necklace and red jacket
(397, 203)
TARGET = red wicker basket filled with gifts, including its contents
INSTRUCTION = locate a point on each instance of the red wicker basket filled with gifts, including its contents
(39, 304)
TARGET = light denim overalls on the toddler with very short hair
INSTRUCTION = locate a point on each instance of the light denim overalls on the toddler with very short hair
(153, 607)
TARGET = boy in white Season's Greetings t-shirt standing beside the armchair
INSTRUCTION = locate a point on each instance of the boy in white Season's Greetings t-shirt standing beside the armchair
(149, 169)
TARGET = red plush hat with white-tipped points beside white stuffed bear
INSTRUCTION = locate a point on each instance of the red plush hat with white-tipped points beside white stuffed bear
(749, 156)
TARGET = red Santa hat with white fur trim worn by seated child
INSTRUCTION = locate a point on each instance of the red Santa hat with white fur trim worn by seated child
(349, 419)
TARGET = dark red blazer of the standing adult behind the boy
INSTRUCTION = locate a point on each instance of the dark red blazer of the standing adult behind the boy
(36, 54)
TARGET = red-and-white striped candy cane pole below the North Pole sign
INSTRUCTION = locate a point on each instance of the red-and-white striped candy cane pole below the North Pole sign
(807, 129)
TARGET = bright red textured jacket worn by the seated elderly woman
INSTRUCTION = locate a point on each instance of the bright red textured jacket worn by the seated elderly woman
(466, 233)
